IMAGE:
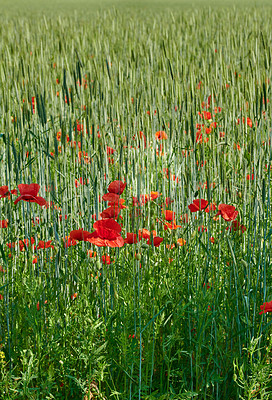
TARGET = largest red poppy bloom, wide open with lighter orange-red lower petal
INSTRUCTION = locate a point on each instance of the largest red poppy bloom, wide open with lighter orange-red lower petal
(107, 233)
